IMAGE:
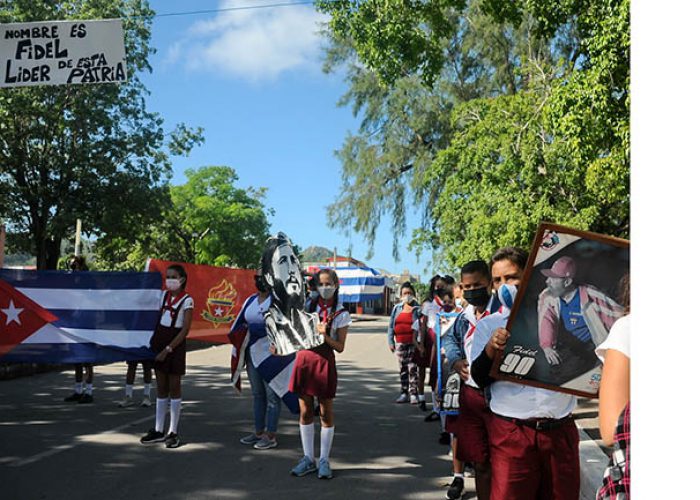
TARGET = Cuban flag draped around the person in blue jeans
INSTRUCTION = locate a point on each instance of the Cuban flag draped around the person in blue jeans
(276, 370)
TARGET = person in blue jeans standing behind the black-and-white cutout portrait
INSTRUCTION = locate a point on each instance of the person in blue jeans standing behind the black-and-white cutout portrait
(266, 403)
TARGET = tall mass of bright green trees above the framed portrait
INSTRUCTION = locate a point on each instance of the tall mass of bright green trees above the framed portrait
(534, 126)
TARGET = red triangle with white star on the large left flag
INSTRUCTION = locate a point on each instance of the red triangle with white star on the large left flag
(20, 317)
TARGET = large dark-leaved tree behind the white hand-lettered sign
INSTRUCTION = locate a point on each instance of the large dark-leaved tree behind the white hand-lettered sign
(92, 152)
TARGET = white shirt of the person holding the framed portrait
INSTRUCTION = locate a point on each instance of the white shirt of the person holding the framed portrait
(516, 400)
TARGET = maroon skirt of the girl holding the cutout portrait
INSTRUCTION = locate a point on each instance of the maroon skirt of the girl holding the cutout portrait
(315, 373)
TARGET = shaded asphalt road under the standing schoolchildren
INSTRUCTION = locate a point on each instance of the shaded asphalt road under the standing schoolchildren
(55, 450)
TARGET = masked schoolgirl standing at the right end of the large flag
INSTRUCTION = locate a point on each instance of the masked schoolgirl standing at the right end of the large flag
(168, 341)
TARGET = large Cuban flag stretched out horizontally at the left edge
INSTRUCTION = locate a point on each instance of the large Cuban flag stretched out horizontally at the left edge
(79, 317)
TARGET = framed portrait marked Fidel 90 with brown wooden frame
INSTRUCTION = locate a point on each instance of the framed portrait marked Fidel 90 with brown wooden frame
(573, 290)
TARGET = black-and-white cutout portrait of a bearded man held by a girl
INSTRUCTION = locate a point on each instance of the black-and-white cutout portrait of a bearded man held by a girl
(289, 327)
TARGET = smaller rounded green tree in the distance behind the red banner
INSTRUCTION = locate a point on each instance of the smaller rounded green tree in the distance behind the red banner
(207, 221)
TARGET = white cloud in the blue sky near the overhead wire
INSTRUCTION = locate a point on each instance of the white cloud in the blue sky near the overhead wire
(256, 44)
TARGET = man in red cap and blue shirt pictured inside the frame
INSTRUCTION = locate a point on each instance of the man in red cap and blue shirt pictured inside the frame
(573, 319)
